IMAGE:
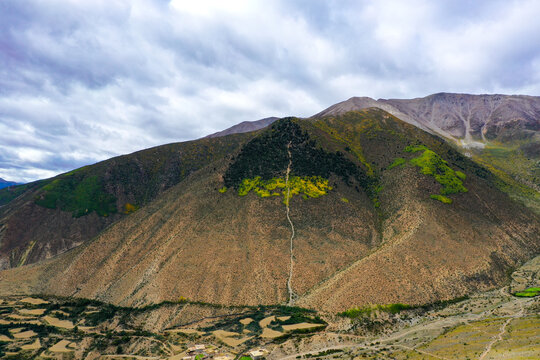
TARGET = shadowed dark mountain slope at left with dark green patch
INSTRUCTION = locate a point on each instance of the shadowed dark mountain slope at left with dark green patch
(47, 217)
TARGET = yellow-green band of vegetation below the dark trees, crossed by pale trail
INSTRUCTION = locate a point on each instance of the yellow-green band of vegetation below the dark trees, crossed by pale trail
(308, 186)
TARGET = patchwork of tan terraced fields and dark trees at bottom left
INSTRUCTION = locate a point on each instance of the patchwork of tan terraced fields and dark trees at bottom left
(67, 328)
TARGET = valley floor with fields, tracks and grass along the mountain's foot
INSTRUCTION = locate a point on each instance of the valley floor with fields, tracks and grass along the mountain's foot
(485, 325)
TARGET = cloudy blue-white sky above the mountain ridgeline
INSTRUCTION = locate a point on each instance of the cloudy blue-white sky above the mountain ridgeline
(82, 81)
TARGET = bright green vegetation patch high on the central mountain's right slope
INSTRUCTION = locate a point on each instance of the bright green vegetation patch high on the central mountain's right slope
(432, 164)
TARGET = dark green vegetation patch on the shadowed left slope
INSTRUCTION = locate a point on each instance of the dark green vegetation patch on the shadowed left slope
(80, 196)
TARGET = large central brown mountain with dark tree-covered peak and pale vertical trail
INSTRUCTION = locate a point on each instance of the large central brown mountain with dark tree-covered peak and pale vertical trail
(329, 213)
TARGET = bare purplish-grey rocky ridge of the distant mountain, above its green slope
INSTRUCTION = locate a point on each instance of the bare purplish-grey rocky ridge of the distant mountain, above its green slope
(457, 116)
